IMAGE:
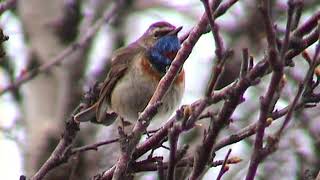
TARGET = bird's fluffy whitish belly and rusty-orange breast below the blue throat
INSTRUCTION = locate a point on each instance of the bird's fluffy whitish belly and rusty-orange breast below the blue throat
(133, 92)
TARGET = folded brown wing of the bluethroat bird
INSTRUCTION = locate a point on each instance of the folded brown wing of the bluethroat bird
(120, 62)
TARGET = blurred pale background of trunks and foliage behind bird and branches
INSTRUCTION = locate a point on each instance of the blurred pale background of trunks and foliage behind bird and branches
(32, 116)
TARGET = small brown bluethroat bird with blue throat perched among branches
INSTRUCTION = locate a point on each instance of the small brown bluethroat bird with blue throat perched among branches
(134, 75)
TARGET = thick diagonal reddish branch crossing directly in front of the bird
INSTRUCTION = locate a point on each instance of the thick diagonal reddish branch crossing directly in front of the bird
(163, 86)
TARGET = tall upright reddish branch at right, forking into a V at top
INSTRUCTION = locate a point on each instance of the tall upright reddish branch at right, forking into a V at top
(276, 60)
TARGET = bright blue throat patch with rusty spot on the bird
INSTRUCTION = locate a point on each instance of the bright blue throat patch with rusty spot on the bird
(160, 52)
